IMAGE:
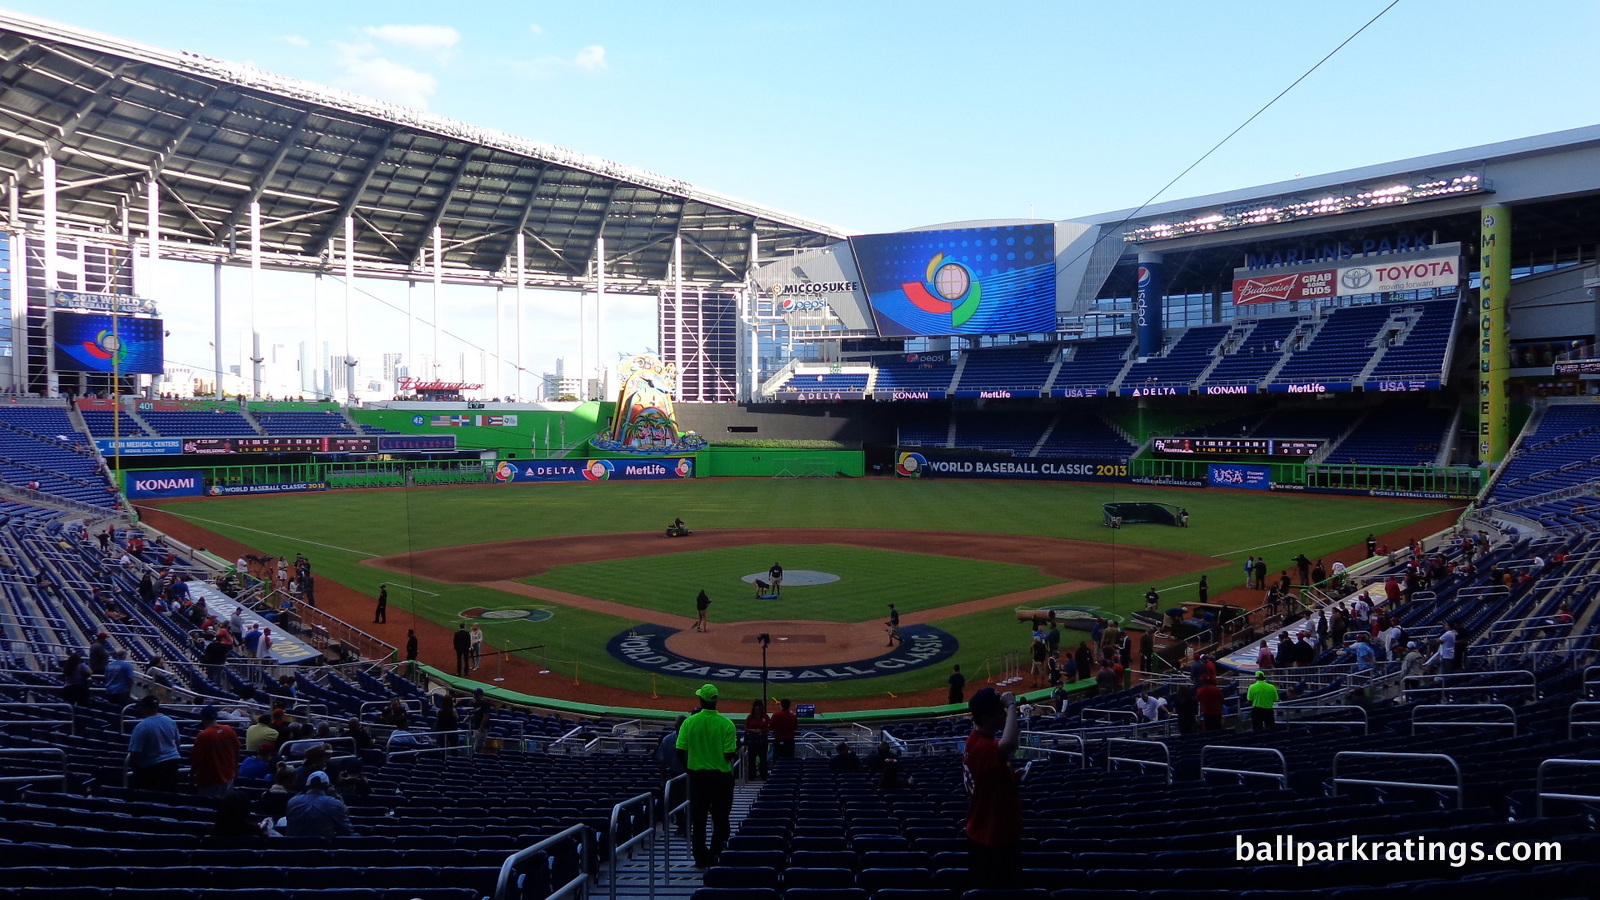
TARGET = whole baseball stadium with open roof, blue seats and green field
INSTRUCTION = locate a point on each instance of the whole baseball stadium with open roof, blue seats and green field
(1262, 526)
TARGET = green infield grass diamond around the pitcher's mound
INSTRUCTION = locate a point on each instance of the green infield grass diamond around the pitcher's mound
(870, 581)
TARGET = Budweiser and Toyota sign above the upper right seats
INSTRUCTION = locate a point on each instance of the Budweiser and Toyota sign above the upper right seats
(1428, 270)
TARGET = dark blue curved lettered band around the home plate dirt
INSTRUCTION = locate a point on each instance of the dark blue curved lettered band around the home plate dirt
(646, 646)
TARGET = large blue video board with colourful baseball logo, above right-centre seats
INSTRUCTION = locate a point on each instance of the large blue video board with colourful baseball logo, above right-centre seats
(972, 281)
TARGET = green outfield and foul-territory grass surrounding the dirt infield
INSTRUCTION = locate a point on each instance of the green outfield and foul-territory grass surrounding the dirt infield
(342, 529)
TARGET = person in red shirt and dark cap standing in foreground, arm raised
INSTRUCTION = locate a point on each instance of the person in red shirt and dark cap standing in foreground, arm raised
(994, 805)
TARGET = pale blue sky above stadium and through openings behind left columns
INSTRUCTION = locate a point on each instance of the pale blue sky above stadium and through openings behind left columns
(882, 116)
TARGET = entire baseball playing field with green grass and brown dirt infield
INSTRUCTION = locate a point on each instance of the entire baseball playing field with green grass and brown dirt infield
(585, 577)
